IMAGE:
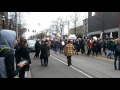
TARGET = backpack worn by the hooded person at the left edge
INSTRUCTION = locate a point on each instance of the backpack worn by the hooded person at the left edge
(3, 51)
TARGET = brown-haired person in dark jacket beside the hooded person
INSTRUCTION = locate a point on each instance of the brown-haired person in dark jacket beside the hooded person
(24, 54)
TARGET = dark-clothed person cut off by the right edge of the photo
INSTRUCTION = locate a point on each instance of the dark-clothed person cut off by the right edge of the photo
(117, 54)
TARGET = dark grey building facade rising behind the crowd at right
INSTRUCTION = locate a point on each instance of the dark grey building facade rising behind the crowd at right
(104, 22)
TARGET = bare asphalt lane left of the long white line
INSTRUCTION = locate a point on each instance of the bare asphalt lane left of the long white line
(55, 69)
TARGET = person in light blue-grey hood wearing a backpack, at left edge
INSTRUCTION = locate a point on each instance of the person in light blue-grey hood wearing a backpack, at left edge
(7, 61)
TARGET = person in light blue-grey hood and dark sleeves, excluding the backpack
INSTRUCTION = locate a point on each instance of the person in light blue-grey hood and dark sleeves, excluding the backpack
(7, 38)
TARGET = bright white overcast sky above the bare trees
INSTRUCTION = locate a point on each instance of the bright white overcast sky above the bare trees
(42, 20)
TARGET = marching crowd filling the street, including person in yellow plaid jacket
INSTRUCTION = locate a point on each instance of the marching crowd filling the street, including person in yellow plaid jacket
(95, 46)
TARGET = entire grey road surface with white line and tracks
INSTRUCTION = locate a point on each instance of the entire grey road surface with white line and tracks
(82, 67)
